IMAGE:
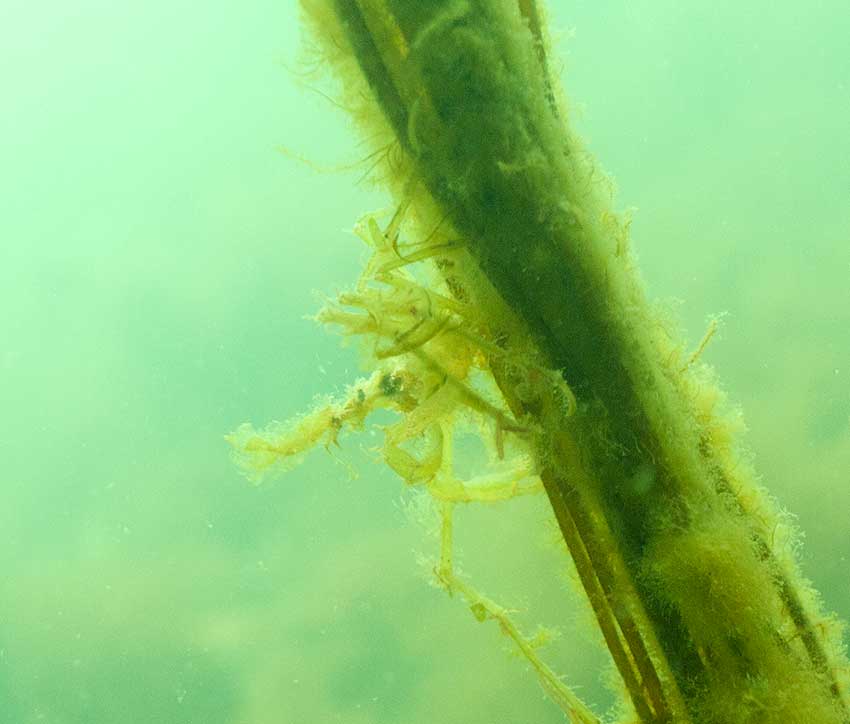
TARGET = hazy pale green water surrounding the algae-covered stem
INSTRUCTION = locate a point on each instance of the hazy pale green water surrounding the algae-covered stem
(159, 255)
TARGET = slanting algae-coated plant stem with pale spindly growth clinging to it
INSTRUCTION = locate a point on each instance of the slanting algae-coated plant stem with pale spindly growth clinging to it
(522, 309)
